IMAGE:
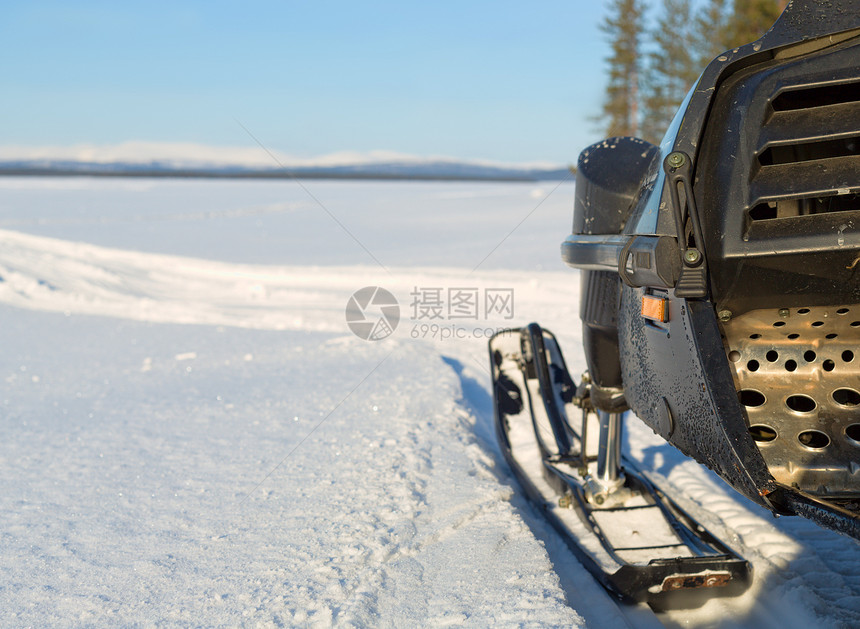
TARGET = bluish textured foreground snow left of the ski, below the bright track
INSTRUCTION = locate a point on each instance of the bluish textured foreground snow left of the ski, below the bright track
(151, 486)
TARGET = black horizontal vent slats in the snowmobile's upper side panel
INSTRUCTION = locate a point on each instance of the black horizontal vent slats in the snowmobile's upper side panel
(808, 154)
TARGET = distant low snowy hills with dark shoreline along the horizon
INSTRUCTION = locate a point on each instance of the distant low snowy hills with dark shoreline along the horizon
(375, 166)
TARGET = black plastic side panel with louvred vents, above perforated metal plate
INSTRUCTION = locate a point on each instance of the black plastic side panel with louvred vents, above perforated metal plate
(787, 131)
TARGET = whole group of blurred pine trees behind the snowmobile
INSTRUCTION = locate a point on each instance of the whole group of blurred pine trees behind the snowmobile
(652, 69)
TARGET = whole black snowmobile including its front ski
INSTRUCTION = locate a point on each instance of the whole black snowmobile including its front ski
(720, 278)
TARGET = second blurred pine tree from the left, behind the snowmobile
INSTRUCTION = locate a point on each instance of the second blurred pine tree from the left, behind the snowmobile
(673, 67)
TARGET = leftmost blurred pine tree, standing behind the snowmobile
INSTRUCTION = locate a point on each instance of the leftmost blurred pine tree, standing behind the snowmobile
(624, 26)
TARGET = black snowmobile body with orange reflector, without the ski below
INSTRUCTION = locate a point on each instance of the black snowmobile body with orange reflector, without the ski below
(721, 270)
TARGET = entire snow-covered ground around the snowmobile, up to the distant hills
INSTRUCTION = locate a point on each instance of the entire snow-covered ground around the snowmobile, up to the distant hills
(192, 435)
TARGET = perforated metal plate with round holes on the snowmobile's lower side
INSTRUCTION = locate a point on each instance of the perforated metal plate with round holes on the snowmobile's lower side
(797, 373)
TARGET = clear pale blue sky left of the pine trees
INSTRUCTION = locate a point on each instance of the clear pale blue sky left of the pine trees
(508, 81)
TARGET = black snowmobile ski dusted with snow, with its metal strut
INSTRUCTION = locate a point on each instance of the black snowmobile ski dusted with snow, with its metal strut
(638, 543)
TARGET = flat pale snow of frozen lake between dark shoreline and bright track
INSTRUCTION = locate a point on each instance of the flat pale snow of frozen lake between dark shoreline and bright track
(284, 223)
